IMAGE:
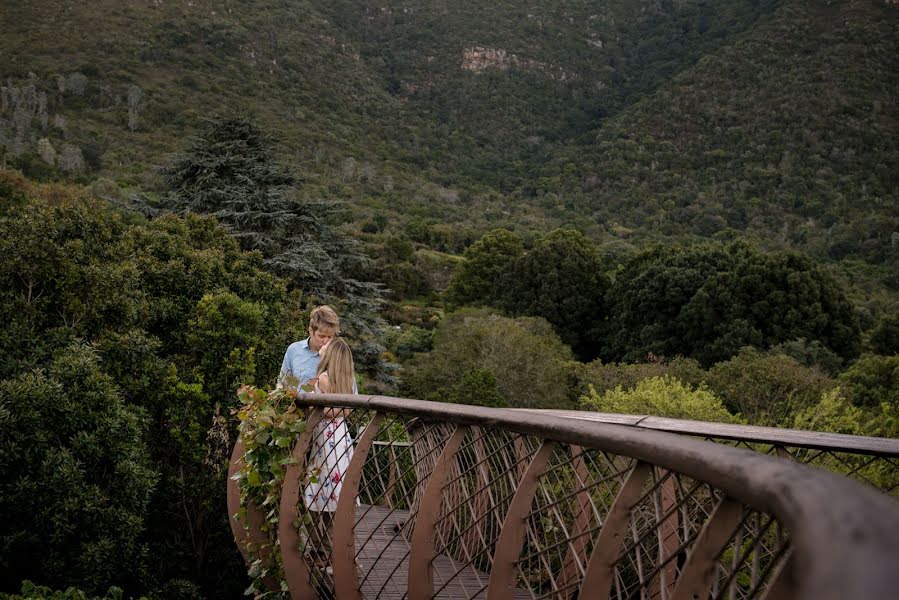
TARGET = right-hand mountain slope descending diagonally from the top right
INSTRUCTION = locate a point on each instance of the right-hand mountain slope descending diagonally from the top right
(790, 132)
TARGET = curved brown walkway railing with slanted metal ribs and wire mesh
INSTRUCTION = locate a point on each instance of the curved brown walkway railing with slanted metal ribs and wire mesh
(450, 501)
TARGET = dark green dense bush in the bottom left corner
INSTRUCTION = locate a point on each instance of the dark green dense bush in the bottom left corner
(77, 477)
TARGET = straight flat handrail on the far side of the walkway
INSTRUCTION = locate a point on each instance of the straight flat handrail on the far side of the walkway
(819, 440)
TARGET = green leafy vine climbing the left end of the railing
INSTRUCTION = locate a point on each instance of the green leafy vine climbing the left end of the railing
(269, 423)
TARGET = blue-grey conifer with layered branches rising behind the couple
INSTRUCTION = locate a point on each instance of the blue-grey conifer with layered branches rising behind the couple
(228, 170)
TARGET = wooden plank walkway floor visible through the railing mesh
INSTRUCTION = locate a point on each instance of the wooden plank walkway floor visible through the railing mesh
(383, 561)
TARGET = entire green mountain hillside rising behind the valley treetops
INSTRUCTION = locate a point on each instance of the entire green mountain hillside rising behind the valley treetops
(632, 121)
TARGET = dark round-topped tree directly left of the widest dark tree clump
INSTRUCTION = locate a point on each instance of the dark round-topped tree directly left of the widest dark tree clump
(561, 279)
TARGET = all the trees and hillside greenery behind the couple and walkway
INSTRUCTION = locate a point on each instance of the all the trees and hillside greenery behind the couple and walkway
(673, 207)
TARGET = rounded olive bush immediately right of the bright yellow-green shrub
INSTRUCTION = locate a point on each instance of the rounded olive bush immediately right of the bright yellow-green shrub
(767, 389)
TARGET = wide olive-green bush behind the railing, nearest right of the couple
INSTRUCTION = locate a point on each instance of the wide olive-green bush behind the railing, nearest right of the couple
(523, 355)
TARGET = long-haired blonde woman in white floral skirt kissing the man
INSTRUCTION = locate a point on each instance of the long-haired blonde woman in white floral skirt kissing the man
(332, 446)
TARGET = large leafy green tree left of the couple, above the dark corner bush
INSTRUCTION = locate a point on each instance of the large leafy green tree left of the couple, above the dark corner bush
(178, 314)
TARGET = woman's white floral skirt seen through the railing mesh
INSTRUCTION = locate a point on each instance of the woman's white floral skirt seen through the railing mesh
(332, 449)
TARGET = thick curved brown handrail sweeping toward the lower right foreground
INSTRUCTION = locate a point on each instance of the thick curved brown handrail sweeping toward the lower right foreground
(845, 534)
